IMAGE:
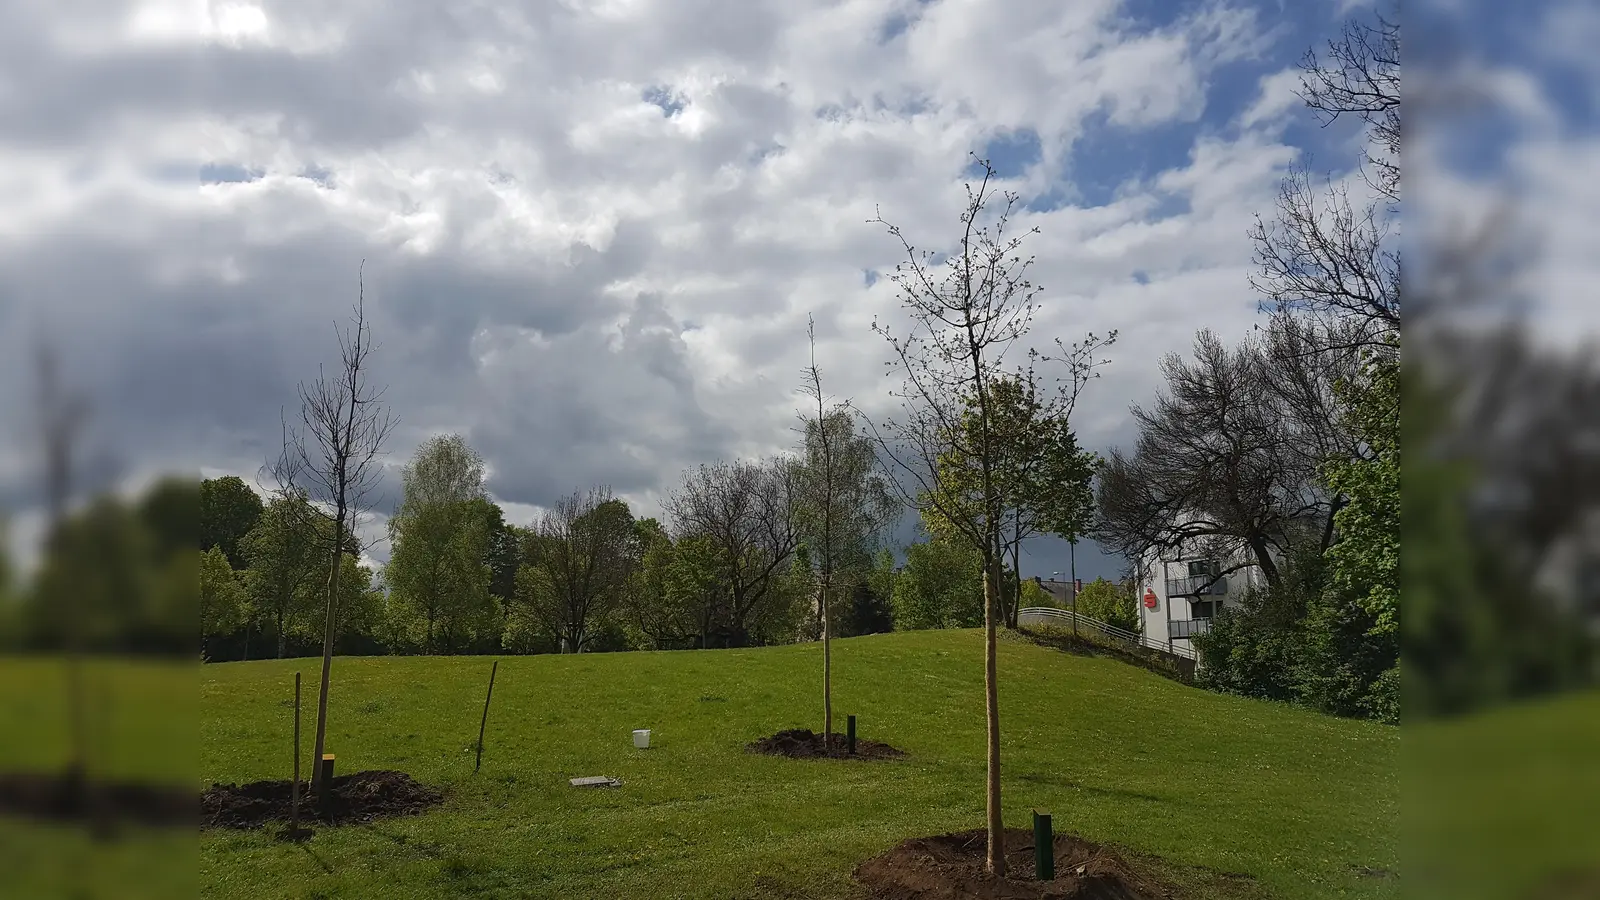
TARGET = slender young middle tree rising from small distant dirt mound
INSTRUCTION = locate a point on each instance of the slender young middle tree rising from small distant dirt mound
(842, 504)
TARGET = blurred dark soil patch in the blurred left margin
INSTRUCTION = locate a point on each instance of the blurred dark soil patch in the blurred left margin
(68, 798)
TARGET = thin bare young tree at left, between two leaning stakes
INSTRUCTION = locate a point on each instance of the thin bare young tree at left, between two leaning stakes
(335, 454)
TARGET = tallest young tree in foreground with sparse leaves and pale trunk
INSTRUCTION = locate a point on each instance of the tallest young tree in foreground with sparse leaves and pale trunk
(964, 319)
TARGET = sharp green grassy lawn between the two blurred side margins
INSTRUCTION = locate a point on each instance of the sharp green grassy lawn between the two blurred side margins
(1298, 802)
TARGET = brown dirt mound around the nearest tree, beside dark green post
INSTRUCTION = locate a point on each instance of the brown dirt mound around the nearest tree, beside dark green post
(951, 867)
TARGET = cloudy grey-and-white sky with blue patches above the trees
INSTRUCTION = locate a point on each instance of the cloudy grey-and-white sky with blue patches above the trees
(594, 231)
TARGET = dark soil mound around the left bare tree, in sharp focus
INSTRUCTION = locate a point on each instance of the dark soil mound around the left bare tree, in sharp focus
(361, 797)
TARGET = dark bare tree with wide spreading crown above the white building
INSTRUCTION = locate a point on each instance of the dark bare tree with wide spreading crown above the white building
(1228, 459)
